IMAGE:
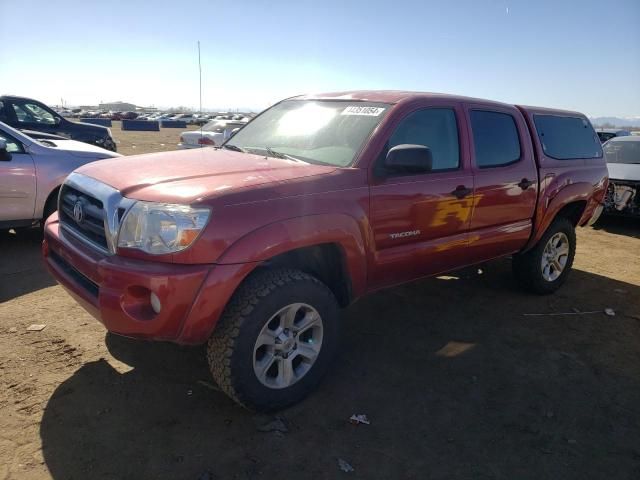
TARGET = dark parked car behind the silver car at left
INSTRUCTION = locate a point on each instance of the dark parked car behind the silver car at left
(28, 114)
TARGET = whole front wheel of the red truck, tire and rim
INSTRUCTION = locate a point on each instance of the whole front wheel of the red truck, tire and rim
(275, 339)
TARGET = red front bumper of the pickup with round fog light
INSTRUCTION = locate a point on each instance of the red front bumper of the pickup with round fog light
(116, 290)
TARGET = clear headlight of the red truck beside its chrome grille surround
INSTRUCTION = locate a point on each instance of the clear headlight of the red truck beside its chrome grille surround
(158, 228)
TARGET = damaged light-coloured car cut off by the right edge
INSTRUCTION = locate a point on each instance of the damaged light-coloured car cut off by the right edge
(623, 163)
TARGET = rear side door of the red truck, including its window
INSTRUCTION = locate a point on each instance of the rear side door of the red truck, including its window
(505, 178)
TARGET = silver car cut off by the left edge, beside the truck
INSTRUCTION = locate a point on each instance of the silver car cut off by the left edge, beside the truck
(31, 172)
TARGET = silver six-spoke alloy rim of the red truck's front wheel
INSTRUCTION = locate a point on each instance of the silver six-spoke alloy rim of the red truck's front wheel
(288, 345)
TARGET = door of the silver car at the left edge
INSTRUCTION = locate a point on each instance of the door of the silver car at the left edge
(17, 183)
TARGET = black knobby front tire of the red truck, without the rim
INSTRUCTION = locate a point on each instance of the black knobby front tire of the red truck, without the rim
(230, 348)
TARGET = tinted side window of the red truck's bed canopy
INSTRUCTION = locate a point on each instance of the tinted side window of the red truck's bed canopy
(567, 138)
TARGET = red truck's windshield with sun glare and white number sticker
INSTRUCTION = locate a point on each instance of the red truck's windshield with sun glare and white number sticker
(323, 132)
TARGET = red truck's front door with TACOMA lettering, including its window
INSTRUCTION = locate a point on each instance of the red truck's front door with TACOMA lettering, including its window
(420, 222)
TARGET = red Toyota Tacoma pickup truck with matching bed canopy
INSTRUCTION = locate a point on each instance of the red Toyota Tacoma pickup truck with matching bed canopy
(254, 246)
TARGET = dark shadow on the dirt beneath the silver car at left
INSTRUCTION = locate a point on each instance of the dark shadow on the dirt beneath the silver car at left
(21, 269)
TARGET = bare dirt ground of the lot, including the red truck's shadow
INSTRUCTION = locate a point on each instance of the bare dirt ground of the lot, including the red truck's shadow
(456, 379)
